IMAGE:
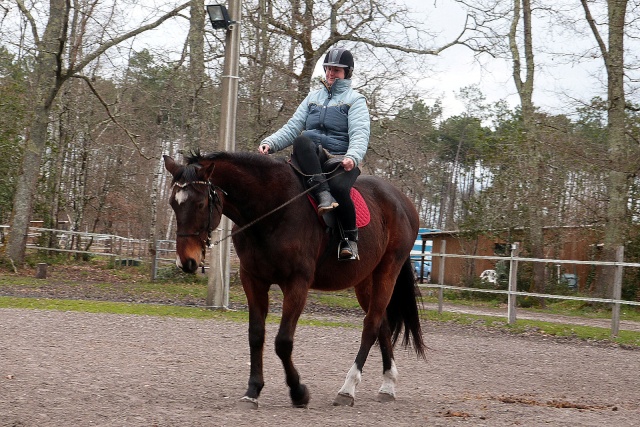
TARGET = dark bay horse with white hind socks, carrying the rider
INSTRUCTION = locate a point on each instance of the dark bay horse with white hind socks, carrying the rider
(291, 248)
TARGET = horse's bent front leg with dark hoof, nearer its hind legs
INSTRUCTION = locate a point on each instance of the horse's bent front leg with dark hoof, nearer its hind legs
(294, 300)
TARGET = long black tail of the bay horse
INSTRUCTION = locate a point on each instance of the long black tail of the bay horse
(403, 312)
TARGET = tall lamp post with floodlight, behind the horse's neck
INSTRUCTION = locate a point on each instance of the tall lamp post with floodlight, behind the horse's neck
(219, 271)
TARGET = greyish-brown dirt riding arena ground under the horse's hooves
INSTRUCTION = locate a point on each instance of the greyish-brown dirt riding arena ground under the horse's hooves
(80, 369)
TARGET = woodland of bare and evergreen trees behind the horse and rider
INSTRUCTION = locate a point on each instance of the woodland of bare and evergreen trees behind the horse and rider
(93, 92)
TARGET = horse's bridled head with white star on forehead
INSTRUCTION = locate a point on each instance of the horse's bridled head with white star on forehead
(198, 209)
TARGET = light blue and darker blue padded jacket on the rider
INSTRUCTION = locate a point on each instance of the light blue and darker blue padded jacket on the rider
(336, 118)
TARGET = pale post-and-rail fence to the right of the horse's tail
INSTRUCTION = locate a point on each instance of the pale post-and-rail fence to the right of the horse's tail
(512, 291)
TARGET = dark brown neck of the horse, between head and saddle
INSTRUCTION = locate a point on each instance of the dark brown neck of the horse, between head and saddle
(252, 190)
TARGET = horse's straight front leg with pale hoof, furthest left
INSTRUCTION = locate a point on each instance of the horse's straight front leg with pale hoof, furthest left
(258, 301)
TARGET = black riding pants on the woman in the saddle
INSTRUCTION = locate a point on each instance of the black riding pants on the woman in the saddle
(312, 161)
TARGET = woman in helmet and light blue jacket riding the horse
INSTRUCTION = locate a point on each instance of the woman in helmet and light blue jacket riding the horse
(336, 119)
